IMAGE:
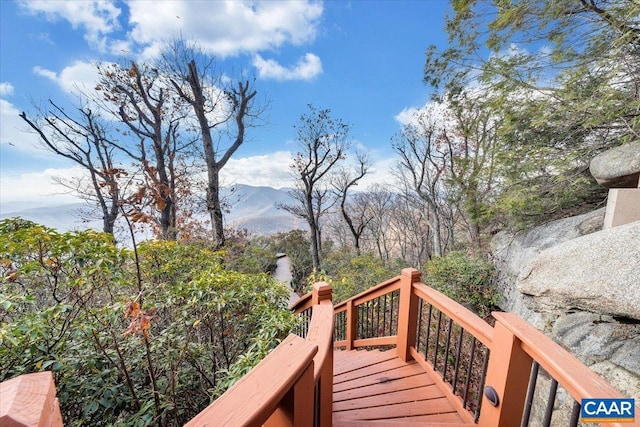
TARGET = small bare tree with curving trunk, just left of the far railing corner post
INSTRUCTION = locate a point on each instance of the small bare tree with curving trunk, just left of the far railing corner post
(356, 215)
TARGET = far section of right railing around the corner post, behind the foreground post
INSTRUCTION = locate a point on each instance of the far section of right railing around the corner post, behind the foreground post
(422, 324)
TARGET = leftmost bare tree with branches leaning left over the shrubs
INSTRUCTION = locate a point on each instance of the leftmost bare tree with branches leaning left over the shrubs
(84, 141)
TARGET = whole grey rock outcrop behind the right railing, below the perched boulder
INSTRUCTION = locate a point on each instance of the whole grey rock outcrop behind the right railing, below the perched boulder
(580, 285)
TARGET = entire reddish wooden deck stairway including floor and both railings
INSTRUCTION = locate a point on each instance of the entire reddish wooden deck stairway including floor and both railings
(308, 381)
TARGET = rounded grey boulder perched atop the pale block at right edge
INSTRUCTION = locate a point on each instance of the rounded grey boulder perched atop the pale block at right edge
(618, 167)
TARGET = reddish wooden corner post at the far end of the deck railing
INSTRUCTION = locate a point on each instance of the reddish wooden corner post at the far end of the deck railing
(407, 313)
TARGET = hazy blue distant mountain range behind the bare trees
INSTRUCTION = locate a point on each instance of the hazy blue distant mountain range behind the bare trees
(251, 208)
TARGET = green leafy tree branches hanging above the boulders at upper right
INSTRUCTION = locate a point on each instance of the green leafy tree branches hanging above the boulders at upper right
(562, 78)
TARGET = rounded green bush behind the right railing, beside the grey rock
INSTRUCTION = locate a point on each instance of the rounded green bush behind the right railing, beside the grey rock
(465, 279)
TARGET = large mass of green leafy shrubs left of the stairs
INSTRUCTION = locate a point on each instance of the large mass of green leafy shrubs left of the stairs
(130, 343)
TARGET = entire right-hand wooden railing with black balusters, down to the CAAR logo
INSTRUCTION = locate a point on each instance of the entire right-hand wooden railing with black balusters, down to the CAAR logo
(464, 352)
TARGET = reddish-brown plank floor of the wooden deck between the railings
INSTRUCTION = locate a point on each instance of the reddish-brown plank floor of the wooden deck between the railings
(377, 387)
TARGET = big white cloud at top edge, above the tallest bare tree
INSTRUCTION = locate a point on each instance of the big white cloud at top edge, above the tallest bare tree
(225, 28)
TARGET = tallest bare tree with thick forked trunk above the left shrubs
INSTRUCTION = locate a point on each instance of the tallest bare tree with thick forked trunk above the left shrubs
(224, 108)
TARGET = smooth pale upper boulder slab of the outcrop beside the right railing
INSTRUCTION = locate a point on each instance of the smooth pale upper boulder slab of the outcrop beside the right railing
(598, 273)
